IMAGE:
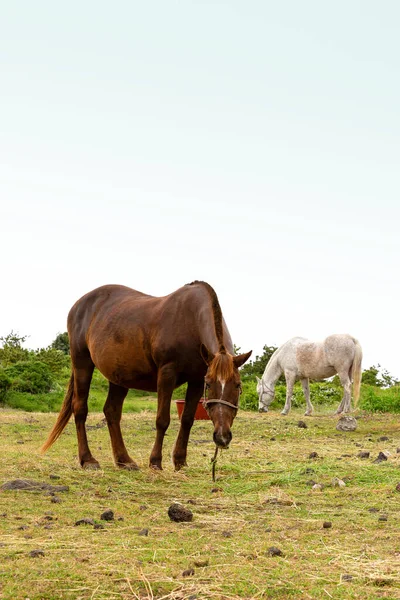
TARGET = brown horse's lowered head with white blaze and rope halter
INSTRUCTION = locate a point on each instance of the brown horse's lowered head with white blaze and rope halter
(222, 391)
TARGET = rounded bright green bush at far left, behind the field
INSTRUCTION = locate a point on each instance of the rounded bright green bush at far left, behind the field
(30, 376)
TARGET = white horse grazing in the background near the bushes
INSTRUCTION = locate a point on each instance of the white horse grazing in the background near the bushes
(301, 359)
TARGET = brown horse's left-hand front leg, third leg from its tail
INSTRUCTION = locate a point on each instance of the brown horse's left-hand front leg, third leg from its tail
(166, 381)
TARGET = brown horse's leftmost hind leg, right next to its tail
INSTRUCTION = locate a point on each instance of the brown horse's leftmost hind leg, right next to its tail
(83, 371)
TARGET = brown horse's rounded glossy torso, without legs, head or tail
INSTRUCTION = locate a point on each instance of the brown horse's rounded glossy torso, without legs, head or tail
(130, 335)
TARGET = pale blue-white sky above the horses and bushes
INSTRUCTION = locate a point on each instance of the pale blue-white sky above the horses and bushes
(251, 144)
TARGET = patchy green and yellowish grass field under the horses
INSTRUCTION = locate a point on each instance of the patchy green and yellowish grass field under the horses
(263, 498)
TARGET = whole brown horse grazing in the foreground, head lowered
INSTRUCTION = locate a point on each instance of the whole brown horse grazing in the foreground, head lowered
(153, 344)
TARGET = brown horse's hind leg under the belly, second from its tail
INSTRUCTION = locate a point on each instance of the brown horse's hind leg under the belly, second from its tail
(113, 410)
